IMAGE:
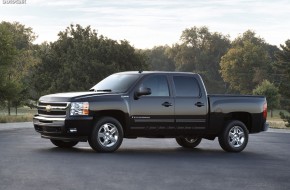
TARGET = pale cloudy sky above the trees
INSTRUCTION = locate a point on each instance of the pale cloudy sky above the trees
(149, 23)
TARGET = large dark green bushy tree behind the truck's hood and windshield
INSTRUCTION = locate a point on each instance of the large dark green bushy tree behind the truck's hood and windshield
(79, 59)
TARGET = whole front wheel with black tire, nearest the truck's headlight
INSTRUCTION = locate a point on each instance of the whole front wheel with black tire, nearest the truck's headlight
(107, 135)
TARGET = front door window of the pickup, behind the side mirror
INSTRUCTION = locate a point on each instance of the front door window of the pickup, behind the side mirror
(157, 84)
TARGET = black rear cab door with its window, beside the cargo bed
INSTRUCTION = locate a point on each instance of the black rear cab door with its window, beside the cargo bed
(190, 103)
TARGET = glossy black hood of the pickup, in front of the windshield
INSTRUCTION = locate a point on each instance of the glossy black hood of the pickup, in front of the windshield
(70, 96)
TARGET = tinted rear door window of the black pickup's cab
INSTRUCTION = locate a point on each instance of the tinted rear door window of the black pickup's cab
(186, 86)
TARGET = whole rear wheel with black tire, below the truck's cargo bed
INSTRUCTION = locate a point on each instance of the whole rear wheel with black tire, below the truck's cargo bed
(235, 136)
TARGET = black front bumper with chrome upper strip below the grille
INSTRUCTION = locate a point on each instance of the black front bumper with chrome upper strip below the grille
(70, 128)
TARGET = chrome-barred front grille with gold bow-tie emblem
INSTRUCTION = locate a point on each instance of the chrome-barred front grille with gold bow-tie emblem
(52, 108)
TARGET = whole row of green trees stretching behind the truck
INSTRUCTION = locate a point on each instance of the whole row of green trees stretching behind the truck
(80, 58)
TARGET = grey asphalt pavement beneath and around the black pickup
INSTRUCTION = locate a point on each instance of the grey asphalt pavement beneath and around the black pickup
(28, 162)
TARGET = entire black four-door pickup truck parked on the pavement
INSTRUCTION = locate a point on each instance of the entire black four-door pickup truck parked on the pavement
(153, 105)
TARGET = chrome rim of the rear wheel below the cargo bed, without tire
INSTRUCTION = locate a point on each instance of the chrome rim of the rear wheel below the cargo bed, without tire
(236, 137)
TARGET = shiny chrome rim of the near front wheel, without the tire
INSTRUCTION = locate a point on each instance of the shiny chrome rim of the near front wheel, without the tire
(108, 135)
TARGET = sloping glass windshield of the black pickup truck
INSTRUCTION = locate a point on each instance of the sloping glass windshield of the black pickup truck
(115, 83)
